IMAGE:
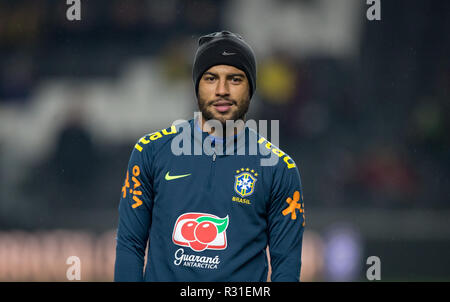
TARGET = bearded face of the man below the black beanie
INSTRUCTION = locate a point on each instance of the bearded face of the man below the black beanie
(223, 94)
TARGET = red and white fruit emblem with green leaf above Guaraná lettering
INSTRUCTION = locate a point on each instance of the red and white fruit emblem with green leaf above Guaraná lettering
(200, 231)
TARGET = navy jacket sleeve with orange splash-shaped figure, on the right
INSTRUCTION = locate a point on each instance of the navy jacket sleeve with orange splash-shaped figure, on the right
(286, 222)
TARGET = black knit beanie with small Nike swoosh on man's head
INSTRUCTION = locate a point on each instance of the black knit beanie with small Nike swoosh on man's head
(224, 48)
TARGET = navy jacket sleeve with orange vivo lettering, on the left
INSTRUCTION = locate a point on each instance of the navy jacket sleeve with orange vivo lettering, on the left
(135, 207)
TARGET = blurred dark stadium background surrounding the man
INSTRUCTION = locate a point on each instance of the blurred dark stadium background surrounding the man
(363, 109)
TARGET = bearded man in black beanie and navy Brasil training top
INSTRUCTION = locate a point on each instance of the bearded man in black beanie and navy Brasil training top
(209, 216)
